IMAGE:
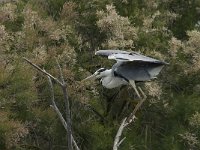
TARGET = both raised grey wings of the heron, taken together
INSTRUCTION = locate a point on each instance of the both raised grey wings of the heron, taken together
(132, 65)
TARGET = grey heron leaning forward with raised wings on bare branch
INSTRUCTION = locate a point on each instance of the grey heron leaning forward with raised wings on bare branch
(130, 67)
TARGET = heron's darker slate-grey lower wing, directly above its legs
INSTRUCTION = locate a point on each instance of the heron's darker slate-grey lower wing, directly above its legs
(137, 70)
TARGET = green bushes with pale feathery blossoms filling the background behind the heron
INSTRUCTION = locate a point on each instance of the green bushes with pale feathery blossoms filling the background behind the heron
(71, 31)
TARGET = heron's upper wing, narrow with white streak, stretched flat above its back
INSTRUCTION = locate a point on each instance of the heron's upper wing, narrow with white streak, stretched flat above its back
(119, 55)
